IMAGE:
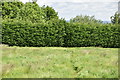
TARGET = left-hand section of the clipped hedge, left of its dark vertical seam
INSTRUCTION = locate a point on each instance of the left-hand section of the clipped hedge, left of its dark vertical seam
(23, 33)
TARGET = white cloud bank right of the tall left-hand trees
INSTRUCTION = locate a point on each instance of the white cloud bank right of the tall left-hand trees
(101, 10)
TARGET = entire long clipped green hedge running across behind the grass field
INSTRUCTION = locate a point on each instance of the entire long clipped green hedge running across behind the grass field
(59, 33)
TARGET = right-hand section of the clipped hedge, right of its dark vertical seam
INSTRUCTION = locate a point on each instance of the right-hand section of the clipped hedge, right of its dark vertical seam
(100, 35)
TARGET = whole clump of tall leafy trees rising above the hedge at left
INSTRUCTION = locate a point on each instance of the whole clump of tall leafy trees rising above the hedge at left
(28, 12)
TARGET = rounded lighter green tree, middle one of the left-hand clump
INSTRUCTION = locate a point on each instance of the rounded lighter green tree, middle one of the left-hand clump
(32, 12)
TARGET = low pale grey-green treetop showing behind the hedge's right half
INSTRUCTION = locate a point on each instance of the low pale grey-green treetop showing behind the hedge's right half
(85, 19)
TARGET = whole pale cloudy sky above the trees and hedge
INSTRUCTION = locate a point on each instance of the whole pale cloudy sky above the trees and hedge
(101, 9)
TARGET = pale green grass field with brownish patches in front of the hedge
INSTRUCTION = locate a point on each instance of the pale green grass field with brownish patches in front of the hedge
(58, 62)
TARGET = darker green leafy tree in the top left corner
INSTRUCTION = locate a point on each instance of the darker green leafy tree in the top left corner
(10, 9)
